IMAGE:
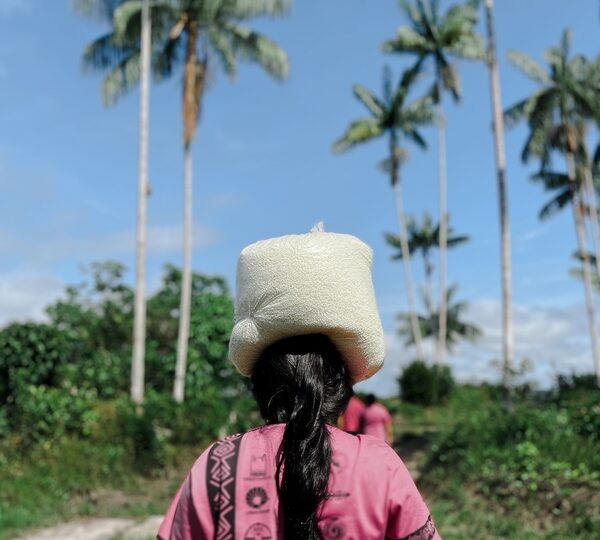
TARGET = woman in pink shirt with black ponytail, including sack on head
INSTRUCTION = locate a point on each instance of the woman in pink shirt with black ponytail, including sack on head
(306, 329)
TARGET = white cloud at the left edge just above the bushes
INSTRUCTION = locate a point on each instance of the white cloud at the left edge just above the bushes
(24, 294)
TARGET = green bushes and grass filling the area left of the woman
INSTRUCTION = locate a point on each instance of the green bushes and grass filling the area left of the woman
(71, 440)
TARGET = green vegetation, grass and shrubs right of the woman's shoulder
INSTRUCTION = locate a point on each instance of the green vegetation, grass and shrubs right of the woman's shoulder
(530, 473)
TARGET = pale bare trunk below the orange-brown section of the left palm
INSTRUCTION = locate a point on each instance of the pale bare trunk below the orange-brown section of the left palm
(186, 280)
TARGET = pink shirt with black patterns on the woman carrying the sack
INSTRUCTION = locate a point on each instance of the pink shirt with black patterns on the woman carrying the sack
(232, 484)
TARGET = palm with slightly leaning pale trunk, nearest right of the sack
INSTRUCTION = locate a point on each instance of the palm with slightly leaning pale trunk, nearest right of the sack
(393, 118)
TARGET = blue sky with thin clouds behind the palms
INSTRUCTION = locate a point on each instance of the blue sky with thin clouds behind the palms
(264, 167)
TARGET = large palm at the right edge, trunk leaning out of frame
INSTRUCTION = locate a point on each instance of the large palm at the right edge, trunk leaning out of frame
(553, 113)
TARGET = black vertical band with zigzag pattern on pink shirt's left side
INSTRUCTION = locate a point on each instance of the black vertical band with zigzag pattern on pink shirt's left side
(220, 485)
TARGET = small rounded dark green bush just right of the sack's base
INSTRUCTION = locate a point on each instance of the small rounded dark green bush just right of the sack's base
(425, 385)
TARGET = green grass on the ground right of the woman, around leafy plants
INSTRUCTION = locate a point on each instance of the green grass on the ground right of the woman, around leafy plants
(466, 503)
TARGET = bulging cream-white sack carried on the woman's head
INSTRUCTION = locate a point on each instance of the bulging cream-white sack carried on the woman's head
(312, 283)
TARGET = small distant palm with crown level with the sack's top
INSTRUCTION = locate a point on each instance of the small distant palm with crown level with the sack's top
(423, 238)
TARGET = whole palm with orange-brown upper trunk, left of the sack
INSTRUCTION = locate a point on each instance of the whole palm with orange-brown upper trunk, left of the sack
(194, 35)
